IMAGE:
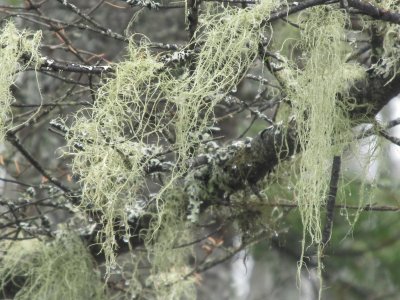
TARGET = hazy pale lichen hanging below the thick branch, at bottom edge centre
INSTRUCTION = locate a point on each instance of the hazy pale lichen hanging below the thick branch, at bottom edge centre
(169, 252)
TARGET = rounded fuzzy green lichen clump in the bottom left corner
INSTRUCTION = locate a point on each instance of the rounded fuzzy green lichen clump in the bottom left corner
(60, 269)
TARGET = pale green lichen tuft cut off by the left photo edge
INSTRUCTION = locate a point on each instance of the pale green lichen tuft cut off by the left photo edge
(15, 46)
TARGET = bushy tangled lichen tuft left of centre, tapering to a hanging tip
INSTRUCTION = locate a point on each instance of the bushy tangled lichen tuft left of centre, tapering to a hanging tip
(110, 144)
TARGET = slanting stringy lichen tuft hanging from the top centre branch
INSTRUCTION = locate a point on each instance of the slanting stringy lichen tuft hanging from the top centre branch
(230, 42)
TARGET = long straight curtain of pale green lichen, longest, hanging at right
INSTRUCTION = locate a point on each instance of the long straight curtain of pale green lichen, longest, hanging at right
(322, 126)
